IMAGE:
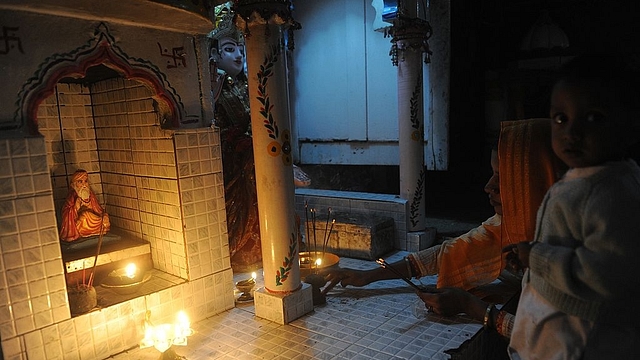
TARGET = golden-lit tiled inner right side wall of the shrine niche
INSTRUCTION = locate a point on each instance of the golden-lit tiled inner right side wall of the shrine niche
(126, 126)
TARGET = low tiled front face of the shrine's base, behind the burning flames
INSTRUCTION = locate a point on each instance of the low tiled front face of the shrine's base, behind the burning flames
(100, 334)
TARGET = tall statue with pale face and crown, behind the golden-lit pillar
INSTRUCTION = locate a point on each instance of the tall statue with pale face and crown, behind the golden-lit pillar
(233, 117)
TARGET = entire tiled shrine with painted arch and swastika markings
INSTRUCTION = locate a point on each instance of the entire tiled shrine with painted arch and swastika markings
(118, 101)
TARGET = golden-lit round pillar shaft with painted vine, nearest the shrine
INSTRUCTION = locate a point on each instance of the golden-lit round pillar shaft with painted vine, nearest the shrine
(265, 23)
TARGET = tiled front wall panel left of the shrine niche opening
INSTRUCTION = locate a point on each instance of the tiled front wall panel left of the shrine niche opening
(32, 284)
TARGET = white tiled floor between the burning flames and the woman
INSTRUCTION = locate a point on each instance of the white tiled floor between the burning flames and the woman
(374, 322)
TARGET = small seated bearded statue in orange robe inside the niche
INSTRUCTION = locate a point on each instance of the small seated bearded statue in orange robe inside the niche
(82, 215)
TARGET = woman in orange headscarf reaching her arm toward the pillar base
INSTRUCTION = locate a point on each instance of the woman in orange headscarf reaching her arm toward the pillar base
(524, 167)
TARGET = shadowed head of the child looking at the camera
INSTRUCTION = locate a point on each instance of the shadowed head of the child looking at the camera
(586, 130)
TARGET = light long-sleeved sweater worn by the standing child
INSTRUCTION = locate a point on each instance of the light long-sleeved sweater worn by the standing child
(587, 244)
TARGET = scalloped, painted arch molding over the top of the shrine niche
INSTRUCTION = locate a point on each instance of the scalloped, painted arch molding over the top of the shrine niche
(100, 50)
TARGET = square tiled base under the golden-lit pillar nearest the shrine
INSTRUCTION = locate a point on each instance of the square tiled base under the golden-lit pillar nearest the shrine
(283, 309)
